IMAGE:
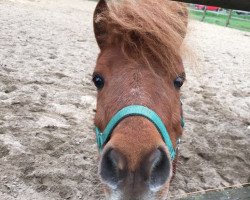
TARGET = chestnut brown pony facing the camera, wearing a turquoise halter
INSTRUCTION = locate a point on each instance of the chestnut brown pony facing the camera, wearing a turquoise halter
(139, 64)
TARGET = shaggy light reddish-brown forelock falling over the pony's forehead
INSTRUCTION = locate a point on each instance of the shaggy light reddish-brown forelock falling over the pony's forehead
(148, 31)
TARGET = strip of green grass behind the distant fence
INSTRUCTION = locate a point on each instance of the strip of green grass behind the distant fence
(212, 17)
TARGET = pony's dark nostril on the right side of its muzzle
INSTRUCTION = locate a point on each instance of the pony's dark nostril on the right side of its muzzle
(157, 168)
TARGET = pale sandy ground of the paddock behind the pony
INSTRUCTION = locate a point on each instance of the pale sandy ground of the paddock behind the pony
(47, 146)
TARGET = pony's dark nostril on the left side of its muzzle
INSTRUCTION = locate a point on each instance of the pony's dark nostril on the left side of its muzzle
(112, 167)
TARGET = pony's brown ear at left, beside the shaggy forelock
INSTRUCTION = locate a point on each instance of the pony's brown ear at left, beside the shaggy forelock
(100, 28)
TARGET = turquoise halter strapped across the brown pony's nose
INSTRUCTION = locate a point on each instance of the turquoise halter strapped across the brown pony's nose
(135, 110)
